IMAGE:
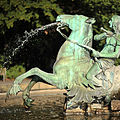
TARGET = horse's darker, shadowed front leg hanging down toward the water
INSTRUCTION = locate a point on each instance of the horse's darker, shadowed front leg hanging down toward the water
(26, 93)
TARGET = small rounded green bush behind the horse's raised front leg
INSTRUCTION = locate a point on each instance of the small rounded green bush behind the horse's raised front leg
(15, 71)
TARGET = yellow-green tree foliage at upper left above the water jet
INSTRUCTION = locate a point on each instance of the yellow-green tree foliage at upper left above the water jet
(27, 10)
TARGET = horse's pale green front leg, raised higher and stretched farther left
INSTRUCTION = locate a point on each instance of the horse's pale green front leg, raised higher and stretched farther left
(48, 77)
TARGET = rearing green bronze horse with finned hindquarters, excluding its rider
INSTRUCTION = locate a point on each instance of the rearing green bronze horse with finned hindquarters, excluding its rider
(72, 64)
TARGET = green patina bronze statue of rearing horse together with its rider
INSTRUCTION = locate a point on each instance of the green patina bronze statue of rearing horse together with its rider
(85, 79)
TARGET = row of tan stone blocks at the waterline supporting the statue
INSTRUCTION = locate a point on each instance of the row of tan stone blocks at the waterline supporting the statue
(96, 108)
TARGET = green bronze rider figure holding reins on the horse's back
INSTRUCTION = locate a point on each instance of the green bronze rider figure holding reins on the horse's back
(111, 50)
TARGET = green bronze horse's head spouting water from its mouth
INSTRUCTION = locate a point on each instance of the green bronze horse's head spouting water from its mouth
(75, 22)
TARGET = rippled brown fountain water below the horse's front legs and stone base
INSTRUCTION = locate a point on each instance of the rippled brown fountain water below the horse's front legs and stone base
(44, 108)
